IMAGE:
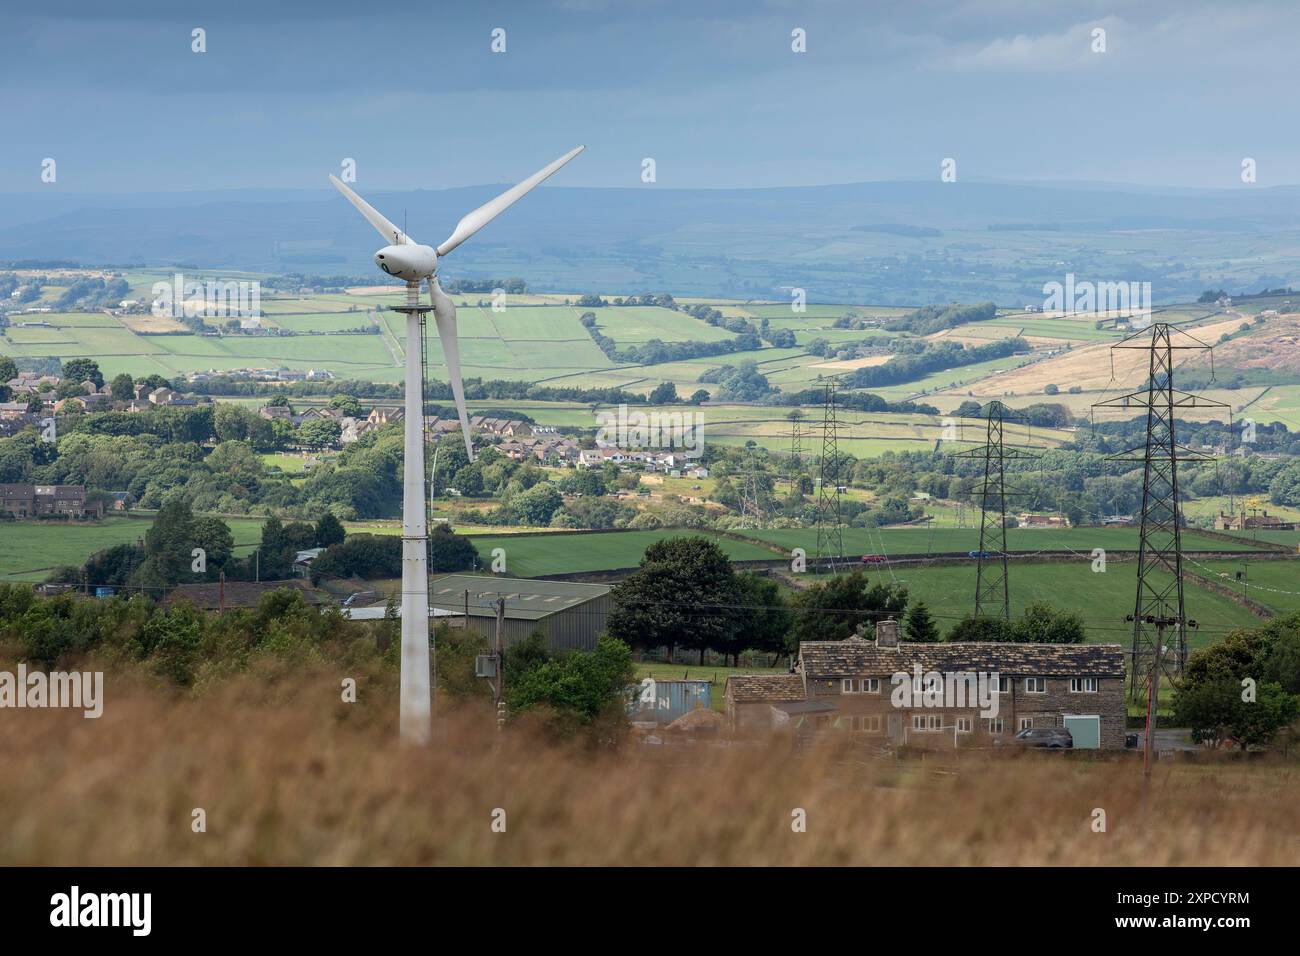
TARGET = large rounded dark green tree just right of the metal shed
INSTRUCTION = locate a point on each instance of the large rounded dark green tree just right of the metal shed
(682, 594)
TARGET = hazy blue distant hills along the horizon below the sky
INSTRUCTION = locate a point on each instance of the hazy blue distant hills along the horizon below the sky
(934, 243)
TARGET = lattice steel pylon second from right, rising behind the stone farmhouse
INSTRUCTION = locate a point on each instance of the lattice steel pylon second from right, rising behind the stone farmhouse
(993, 577)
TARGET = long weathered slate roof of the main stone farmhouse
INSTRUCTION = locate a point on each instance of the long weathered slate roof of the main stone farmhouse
(861, 657)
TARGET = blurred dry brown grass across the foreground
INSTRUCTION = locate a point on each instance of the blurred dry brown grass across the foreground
(289, 775)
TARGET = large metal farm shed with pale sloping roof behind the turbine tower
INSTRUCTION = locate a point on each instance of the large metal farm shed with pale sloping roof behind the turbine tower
(571, 616)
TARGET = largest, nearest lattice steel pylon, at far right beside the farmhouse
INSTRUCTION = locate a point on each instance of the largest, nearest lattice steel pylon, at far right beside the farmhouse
(1159, 604)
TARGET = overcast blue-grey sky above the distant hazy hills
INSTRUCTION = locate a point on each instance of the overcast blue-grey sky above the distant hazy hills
(712, 92)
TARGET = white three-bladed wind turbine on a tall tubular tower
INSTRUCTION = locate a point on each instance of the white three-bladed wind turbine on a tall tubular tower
(406, 259)
